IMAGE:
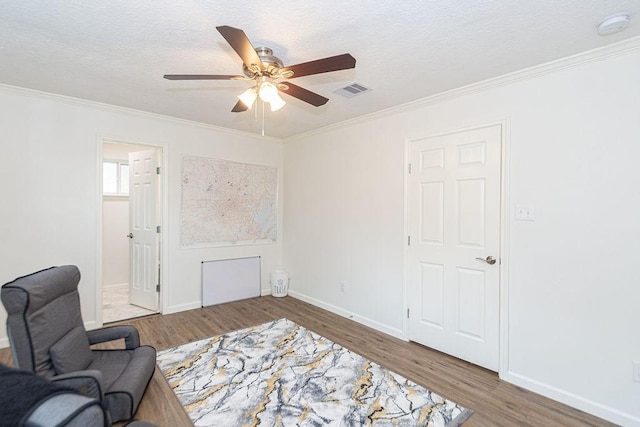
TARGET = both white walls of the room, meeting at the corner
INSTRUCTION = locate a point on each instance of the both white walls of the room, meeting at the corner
(572, 289)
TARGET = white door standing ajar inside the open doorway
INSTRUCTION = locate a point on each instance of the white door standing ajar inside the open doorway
(144, 254)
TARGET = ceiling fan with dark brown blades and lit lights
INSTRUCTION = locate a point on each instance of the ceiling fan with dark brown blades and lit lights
(268, 71)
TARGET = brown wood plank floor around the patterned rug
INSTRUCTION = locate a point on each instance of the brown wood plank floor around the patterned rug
(494, 402)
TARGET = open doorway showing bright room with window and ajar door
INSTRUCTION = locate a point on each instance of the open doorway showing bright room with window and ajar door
(131, 216)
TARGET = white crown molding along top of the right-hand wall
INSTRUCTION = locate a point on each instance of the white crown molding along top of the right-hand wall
(599, 54)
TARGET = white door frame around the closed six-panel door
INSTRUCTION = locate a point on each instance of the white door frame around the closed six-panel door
(503, 333)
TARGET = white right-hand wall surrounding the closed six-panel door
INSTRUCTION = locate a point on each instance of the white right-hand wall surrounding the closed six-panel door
(574, 141)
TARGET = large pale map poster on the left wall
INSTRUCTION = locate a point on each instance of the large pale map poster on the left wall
(226, 202)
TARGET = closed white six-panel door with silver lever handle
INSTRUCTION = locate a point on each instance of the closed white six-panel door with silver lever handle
(454, 225)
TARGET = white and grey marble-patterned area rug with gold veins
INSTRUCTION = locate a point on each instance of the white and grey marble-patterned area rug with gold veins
(281, 374)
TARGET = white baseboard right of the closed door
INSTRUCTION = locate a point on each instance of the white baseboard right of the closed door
(573, 400)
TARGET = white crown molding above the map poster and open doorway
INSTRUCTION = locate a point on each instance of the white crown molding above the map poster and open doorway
(17, 90)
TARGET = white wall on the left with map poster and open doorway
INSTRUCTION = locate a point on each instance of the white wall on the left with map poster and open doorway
(50, 212)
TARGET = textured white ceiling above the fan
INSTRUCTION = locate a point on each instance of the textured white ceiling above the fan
(117, 51)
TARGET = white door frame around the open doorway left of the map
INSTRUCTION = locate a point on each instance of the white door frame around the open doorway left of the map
(164, 235)
